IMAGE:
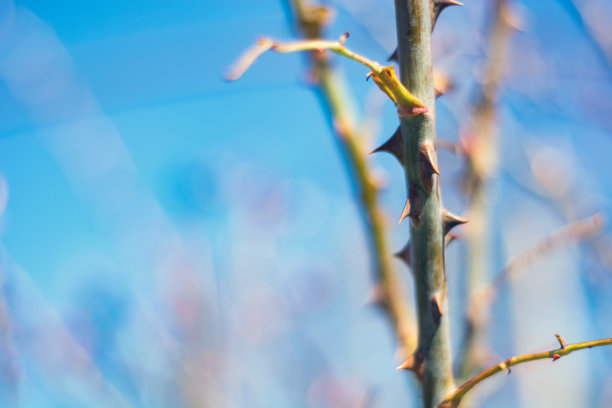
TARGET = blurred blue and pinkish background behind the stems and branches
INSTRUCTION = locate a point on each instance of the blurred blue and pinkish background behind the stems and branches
(169, 239)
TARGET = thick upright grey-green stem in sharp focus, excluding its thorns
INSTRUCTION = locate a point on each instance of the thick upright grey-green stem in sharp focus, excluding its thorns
(414, 26)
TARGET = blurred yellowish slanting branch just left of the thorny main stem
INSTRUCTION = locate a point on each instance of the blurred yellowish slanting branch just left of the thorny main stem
(389, 291)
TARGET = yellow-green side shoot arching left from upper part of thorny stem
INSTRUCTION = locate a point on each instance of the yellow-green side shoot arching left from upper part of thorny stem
(384, 77)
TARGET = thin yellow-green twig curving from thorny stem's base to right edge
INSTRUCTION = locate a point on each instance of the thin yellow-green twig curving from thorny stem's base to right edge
(453, 399)
